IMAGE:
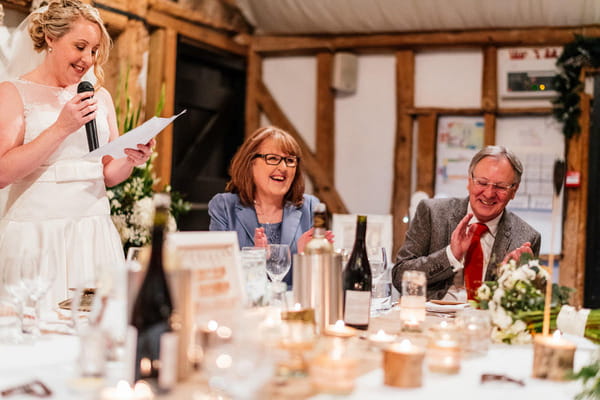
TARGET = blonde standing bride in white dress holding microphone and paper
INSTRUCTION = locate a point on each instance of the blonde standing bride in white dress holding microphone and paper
(57, 210)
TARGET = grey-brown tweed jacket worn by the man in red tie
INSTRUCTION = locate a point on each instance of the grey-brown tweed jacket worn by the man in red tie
(430, 231)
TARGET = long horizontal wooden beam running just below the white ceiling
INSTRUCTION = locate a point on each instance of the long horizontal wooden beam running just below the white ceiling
(390, 41)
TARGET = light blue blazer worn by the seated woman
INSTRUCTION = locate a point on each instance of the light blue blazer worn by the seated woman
(227, 213)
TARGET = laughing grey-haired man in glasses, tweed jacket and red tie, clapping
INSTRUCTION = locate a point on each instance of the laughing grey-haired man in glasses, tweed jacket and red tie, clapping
(443, 238)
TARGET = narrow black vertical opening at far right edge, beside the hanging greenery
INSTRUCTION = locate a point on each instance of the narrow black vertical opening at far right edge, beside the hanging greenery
(592, 262)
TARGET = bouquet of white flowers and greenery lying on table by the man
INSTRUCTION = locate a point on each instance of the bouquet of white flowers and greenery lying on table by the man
(516, 302)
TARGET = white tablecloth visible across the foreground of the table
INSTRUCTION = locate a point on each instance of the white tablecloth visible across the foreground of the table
(53, 360)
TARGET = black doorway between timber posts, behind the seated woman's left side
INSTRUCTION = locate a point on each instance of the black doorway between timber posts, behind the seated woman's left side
(212, 87)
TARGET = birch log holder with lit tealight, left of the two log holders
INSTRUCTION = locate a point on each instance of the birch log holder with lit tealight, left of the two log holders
(403, 365)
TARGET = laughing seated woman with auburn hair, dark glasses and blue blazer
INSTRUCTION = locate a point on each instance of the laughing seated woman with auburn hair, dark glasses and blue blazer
(266, 201)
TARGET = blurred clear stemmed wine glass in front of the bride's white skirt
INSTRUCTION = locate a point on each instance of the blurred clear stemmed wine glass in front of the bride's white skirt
(38, 274)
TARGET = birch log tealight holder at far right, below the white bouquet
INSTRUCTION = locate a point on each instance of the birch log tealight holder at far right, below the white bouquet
(553, 357)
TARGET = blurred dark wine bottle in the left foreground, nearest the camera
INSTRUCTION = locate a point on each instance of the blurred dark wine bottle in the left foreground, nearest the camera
(153, 307)
